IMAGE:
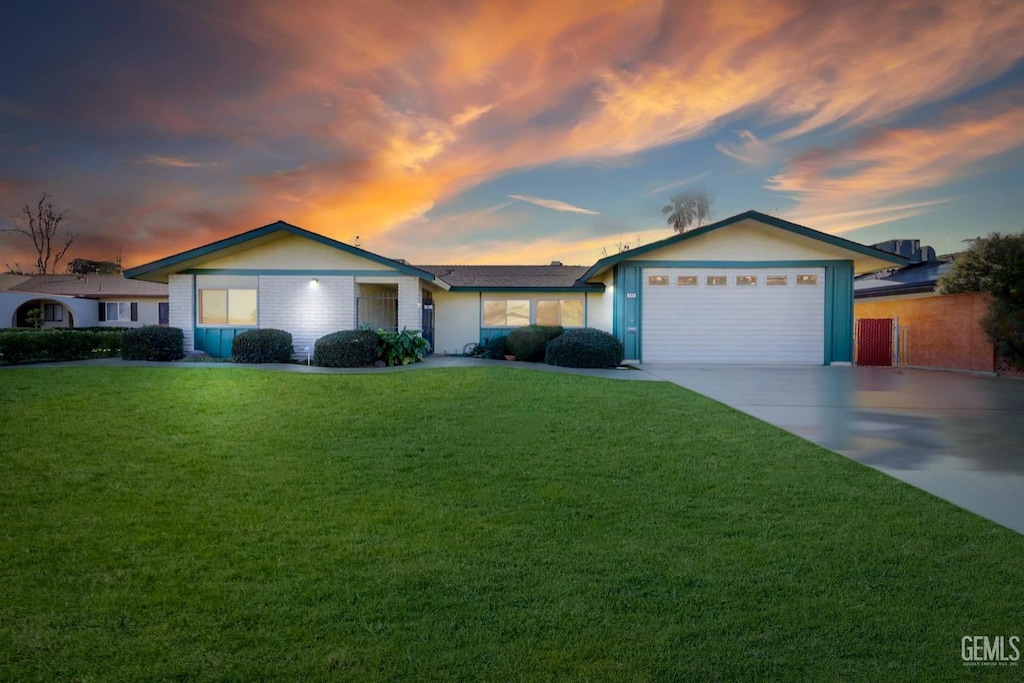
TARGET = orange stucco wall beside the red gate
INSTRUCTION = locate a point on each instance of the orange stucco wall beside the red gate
(943, 331)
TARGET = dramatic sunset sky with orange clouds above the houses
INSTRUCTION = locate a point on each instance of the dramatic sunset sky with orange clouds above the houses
(508, 133)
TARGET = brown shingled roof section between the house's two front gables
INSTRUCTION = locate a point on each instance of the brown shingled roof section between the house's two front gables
(484, 278)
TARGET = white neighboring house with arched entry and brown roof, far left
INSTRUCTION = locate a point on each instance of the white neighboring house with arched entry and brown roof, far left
(82, 302)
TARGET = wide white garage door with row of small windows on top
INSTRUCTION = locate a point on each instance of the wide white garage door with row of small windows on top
(734, 316)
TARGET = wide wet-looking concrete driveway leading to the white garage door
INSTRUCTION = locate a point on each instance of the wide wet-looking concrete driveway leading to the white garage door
(956, 436)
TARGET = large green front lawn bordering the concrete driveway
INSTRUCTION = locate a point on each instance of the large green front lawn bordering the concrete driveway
(481, 524)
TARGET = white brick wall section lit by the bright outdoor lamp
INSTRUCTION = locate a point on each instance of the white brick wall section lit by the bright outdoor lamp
(308, 310)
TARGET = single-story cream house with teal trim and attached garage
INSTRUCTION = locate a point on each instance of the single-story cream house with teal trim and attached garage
(748, 289)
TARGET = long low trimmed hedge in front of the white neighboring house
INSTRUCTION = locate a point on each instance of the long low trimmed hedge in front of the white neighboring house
(40, 346)
